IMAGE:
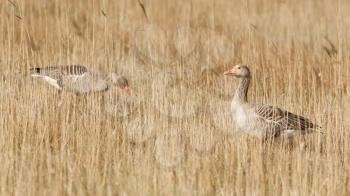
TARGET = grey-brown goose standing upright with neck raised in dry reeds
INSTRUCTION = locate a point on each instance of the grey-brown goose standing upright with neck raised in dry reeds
(262, 120)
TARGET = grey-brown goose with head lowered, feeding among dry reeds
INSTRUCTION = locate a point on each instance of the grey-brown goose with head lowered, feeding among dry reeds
(79, 79)
